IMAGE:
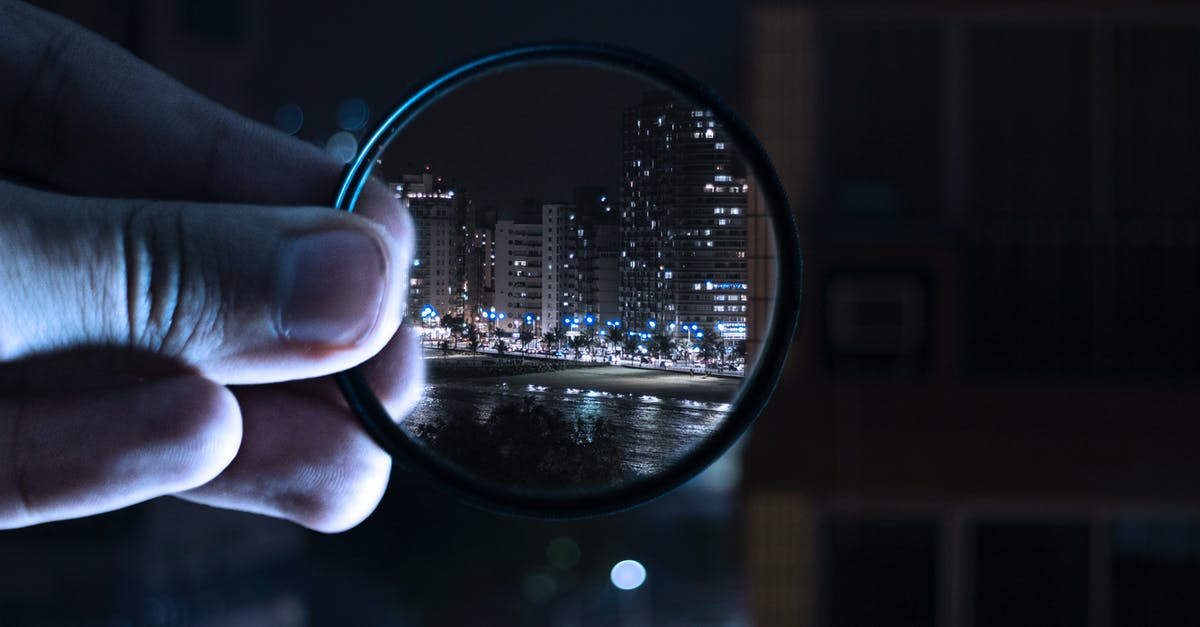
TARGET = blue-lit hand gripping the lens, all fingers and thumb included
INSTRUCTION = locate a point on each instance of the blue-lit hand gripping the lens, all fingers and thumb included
(163, 317)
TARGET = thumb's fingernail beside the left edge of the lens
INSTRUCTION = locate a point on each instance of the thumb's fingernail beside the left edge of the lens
(332, 288)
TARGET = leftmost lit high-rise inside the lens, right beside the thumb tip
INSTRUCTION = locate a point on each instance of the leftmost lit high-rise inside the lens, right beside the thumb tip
(436, 279)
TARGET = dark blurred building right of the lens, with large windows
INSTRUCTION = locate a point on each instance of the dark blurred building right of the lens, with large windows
(989, 414)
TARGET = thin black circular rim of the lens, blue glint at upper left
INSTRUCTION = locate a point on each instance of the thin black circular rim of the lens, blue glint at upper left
(760, 383)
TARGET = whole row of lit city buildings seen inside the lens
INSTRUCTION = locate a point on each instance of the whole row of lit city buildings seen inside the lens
(669, 247)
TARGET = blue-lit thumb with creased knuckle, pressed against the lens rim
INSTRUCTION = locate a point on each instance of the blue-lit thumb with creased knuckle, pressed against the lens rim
(244, 294)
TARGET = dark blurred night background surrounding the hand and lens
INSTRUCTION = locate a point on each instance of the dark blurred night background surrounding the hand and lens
(989, 413)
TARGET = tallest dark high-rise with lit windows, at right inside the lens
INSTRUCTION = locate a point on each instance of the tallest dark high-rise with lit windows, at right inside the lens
(682, 220)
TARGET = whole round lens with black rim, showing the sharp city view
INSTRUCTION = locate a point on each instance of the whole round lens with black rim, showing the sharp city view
(607, 278)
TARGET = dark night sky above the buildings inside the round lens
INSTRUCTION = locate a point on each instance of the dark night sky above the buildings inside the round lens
(530, 133)
